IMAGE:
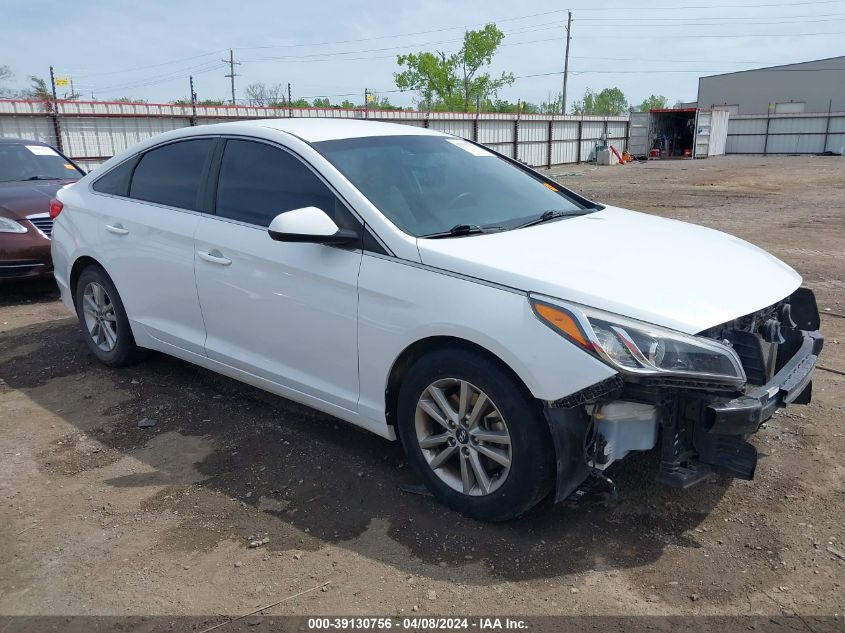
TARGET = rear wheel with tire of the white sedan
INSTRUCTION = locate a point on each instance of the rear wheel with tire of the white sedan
(103, 319)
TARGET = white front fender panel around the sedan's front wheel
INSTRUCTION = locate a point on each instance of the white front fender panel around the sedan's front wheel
(396, 310)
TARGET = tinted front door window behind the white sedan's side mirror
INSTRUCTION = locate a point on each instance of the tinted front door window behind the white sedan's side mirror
(258, 182)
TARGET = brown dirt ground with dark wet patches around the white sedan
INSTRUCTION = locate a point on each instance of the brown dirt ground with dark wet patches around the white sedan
(99, 516)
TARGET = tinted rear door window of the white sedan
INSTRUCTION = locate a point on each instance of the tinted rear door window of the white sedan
(172, 174)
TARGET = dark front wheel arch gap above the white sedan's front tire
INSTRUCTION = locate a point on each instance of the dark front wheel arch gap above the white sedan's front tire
(413, 352)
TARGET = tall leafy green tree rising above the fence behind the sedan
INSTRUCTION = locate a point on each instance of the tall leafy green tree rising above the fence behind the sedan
(456, 81)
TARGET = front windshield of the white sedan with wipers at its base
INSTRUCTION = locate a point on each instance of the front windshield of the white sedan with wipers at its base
(428, 185)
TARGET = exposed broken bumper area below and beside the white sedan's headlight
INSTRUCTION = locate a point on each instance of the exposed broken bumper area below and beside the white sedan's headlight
(700, 431)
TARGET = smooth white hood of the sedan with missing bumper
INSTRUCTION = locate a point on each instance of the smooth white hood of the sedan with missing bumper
(670, 273)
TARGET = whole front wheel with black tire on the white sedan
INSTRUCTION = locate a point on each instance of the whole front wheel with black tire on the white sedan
(475, 436)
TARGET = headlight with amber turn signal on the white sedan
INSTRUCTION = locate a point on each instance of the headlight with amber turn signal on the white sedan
(641, 349)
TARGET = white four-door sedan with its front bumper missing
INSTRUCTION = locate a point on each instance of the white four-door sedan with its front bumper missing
(515, 336)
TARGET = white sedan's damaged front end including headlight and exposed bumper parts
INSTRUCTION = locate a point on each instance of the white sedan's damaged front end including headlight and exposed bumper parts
(697, 397)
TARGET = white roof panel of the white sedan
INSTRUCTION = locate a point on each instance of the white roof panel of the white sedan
(314, 130)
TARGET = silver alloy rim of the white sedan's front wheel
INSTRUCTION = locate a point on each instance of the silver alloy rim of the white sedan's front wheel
(463, 437)
